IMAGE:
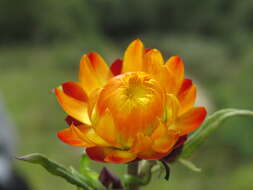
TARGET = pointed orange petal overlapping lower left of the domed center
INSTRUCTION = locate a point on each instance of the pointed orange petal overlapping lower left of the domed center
(105, 128)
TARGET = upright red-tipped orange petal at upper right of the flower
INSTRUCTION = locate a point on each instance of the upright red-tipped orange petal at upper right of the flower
(175, 67)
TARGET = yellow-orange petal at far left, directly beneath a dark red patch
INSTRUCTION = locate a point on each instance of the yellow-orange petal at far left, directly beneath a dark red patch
(73, 107)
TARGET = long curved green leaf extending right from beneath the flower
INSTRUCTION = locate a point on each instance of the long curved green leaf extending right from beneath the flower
(210, 125)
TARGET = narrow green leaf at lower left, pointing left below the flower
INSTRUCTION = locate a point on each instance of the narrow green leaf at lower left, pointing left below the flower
(57, 169)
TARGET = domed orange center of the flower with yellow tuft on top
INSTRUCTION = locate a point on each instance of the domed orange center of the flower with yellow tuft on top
(135, 100)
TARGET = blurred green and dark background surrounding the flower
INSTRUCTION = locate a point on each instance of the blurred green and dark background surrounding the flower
(41, 43)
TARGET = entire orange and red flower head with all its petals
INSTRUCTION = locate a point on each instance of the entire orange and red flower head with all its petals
(136, 109)
